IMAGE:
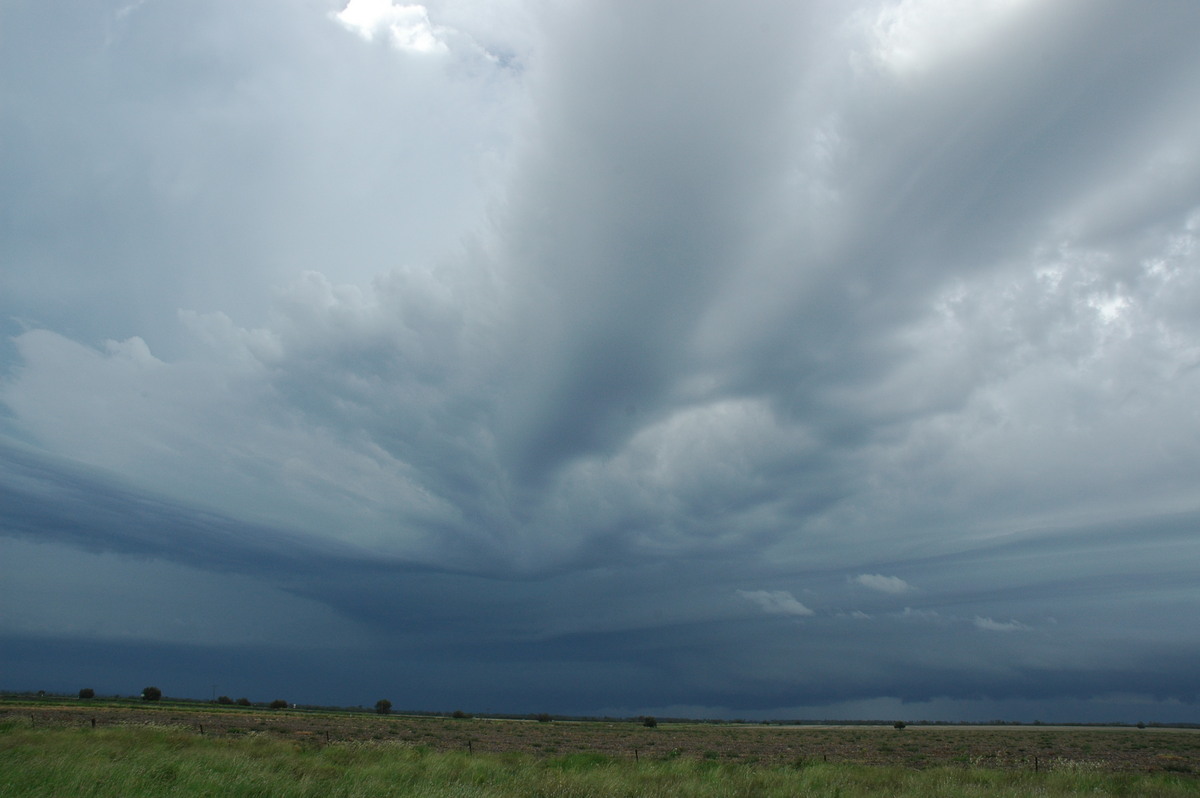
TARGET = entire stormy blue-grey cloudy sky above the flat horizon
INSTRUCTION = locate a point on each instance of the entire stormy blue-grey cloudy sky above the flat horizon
(827, 361)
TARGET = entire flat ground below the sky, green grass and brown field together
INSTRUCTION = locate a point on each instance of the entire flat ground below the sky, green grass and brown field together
(163, 752)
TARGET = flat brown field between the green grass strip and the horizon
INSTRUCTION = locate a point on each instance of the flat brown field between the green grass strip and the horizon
(1111, 749)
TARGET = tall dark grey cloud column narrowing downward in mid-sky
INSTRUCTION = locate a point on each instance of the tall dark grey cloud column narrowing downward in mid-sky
(640, 193)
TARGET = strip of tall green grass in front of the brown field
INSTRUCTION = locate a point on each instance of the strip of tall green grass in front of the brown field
(133, 761)
